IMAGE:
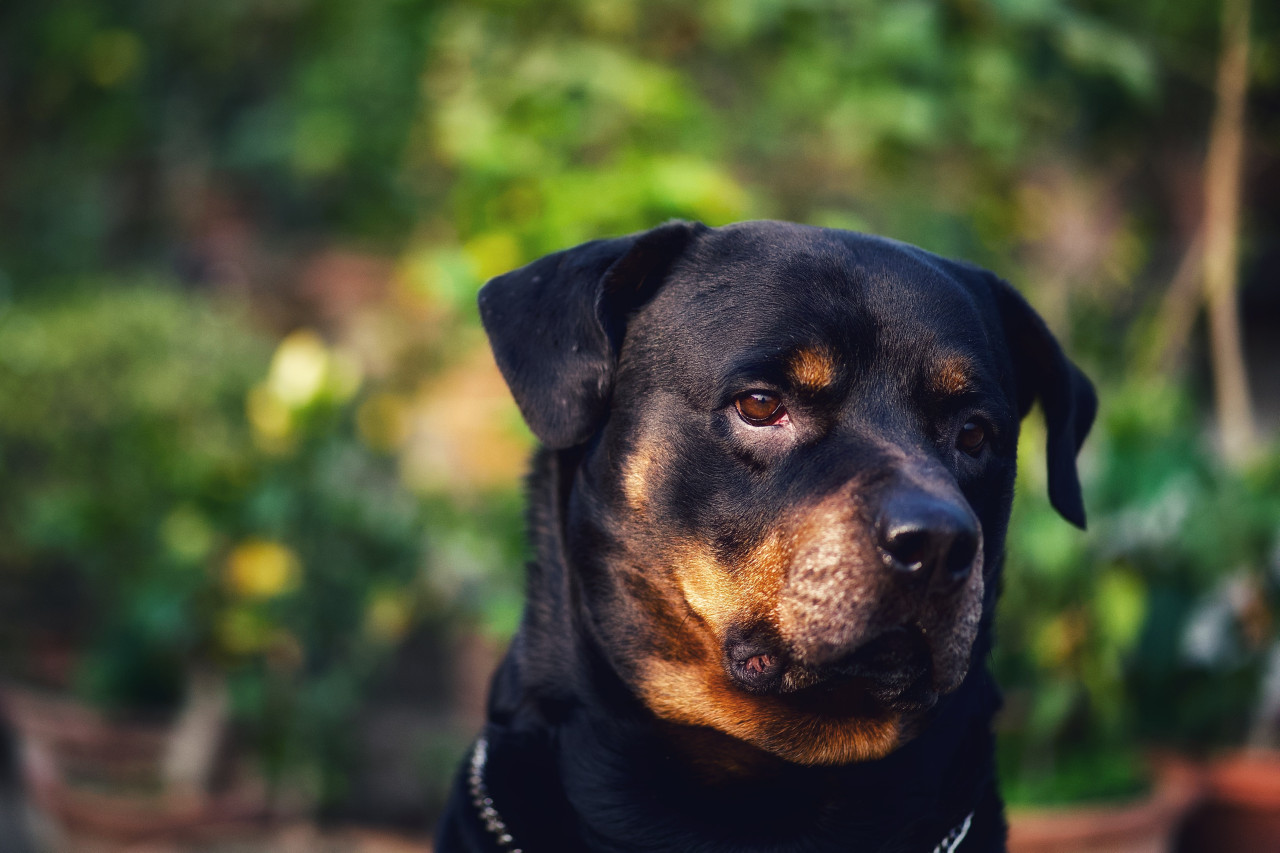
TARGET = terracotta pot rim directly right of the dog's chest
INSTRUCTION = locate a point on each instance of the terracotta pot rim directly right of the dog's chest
(1148, 825)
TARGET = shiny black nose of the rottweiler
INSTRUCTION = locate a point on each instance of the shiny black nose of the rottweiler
(925, 536)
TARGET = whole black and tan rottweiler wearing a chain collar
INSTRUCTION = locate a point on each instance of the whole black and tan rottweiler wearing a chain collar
(769, 519)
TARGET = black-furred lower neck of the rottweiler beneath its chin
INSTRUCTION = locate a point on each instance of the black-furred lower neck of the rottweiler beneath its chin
(596, 782)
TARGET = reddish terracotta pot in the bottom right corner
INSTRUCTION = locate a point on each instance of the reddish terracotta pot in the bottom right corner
(1241, 810)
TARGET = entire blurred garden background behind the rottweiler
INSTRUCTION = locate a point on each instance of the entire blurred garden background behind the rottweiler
(260, 527)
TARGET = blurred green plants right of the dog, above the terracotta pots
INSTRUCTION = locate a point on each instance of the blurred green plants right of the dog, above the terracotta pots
(1154, 630)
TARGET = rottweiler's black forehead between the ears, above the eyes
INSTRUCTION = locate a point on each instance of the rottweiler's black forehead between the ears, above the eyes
(812, 302)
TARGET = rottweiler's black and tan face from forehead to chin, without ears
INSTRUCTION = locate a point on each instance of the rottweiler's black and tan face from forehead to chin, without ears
(798, 503)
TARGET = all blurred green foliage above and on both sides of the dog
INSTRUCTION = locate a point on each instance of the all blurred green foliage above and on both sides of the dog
(147, 451)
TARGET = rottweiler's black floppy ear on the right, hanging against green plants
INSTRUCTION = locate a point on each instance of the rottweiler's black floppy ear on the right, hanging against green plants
(1067, 395)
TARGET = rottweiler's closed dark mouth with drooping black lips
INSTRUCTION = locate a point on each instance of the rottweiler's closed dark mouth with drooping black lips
(893, 670)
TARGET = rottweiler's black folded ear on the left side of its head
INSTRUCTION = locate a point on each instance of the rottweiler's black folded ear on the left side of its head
(556, 326)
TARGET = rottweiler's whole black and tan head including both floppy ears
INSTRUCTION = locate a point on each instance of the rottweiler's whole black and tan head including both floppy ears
(797, 463)
